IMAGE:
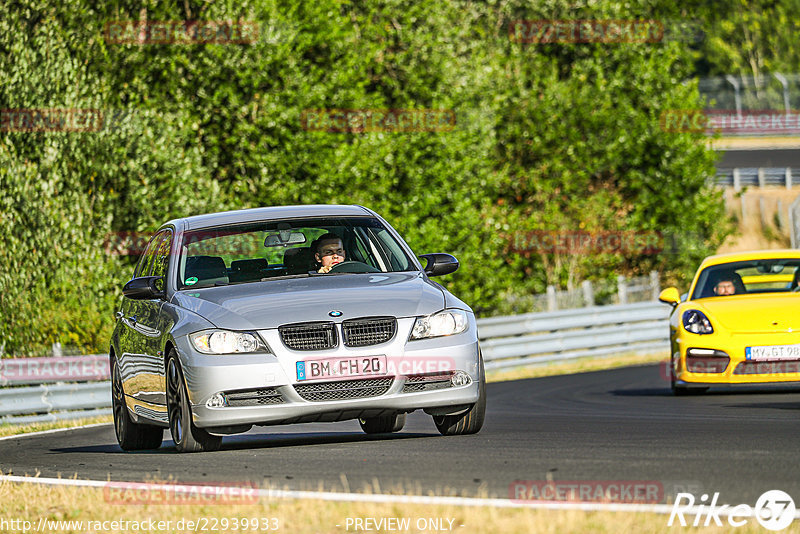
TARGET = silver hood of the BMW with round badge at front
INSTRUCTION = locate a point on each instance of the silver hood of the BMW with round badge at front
(269, 304)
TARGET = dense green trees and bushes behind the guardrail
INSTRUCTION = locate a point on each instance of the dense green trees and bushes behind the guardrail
(548, 137)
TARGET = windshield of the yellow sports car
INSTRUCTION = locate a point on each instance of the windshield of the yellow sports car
(778, 275)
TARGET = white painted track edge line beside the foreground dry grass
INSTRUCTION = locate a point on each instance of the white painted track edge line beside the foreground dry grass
(375, 498)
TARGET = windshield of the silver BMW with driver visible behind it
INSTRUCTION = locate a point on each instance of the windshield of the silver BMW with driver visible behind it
(266, 250)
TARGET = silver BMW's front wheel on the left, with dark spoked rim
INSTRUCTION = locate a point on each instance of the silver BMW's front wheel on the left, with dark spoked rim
(187, 437)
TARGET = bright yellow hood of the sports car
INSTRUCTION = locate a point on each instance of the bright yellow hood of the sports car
(766, 312)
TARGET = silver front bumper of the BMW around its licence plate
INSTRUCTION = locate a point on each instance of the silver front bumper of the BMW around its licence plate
(209, 375)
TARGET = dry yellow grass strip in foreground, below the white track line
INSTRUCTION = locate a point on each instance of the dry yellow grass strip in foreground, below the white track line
(29, 502)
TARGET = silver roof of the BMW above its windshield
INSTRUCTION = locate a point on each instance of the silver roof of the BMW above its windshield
(267, 213)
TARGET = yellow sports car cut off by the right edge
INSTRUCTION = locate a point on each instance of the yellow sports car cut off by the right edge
(739, 323)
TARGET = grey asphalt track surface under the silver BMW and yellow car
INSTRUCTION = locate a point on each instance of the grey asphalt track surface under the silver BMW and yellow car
(612, 425)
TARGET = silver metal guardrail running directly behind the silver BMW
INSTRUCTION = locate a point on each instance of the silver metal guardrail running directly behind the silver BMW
(507, 342)
